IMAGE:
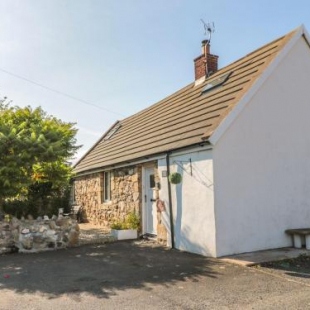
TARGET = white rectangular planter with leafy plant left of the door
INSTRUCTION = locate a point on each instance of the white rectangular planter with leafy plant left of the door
(126, 229)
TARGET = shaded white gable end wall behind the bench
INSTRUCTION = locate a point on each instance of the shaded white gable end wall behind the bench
(262, 162)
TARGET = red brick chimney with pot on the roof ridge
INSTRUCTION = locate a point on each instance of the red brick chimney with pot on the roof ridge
(205, 64)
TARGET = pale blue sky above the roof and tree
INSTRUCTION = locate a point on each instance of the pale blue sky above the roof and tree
(124, 55)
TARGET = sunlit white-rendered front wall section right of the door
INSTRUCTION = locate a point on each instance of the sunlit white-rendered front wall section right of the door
(192, 201)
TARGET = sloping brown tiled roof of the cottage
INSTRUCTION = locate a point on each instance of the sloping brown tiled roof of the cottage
(185, 118)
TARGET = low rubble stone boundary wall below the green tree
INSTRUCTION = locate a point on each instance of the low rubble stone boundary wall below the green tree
(38, 235)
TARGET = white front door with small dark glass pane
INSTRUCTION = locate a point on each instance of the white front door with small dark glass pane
(150, 210)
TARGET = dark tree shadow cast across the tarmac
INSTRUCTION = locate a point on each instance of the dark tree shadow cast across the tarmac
(101, 270)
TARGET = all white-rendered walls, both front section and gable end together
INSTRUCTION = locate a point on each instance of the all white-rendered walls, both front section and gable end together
(260, 166)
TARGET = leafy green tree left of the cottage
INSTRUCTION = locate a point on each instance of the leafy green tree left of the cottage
(34, 149)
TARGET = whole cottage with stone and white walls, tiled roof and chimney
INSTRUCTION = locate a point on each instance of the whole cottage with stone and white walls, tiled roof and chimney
(239, 138)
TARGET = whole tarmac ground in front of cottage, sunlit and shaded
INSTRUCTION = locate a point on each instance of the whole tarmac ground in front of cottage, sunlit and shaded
(143, 275)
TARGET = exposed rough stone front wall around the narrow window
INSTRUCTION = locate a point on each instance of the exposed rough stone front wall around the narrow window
(125, 195)
